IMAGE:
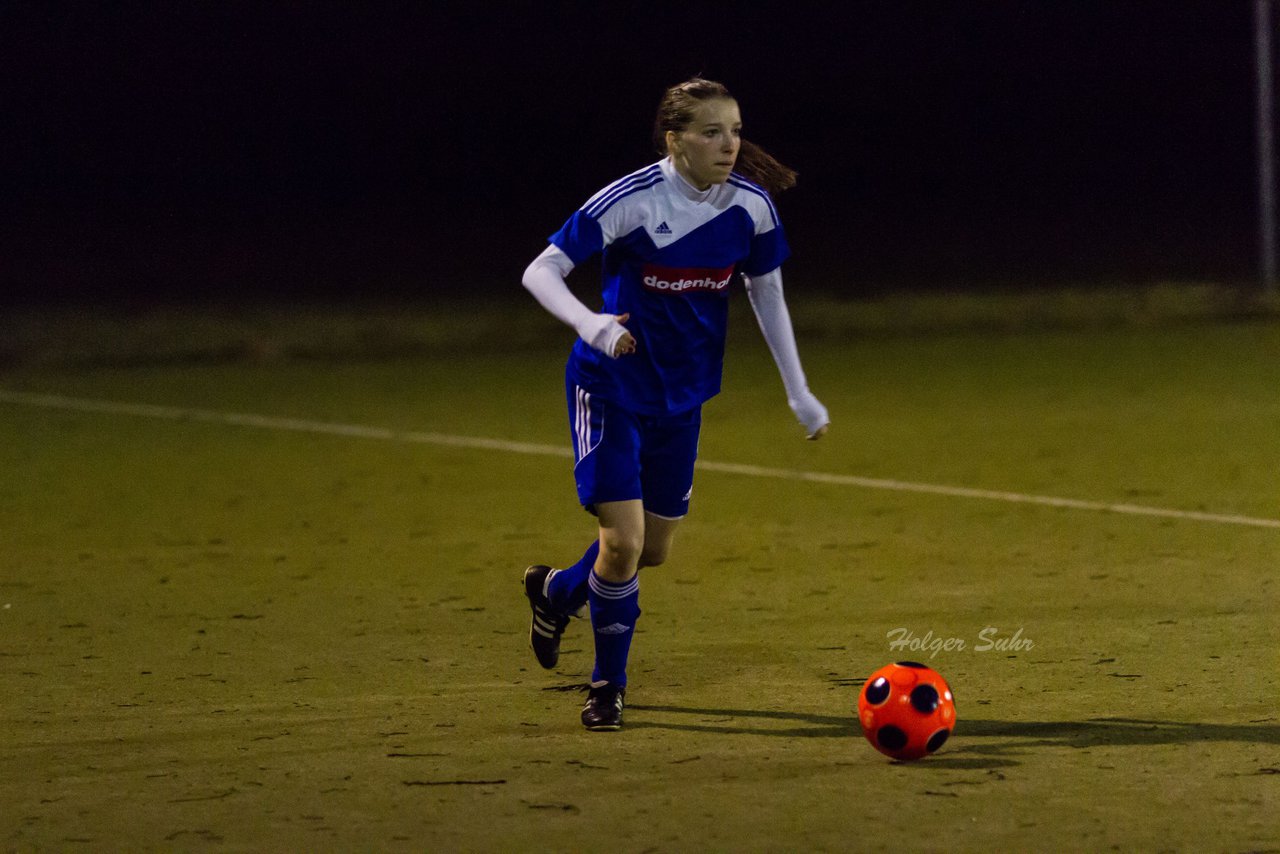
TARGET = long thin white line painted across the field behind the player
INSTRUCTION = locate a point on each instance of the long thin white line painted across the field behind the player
(364, 432)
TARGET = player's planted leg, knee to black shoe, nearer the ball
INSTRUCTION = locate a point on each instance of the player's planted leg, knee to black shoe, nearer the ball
(614, 597)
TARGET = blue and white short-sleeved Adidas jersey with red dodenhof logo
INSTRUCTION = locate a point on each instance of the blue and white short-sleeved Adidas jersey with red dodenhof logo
(670, 259)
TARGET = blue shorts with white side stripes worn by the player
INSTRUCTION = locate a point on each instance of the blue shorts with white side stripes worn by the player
(621, 456)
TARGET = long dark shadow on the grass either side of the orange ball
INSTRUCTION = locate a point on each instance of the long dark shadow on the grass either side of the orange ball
(985, 738)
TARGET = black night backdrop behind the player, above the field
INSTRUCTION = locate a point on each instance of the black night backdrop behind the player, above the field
(298, 149)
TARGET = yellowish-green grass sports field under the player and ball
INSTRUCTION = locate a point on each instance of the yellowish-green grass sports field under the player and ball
(307, 631)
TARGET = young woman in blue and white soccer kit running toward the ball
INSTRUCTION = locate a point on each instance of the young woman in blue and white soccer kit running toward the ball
(674, 236)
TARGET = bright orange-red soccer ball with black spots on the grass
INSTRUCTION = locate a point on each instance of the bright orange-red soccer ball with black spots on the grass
(907, 710)
